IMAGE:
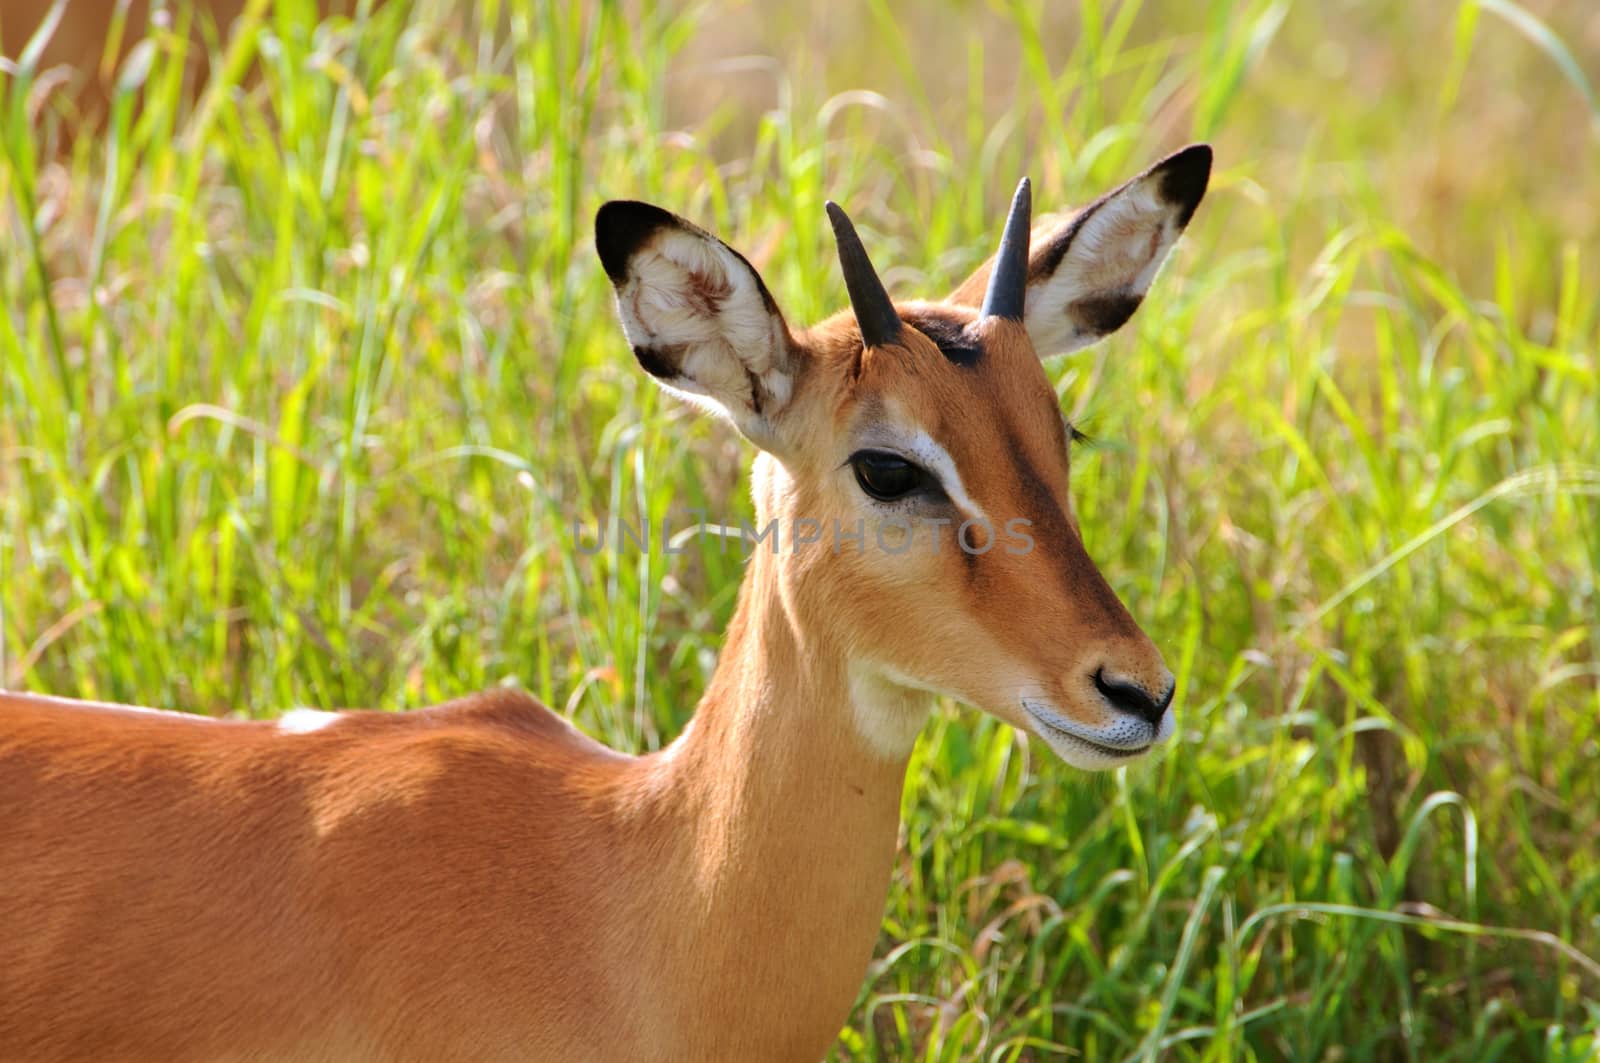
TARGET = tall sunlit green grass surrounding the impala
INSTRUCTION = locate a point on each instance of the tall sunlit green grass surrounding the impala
(305, 380)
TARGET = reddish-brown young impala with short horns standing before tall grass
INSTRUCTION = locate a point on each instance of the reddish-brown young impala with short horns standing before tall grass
(479, 880)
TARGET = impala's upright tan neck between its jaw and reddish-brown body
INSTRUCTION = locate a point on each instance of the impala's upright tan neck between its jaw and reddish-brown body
(793, 814)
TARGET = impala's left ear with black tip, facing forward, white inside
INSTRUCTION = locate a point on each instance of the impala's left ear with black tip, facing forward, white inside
(698, 316)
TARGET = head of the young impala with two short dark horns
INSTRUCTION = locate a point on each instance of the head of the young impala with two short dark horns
(911, 420)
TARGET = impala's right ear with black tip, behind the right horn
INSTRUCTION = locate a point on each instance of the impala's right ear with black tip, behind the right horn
(1089, 271)
